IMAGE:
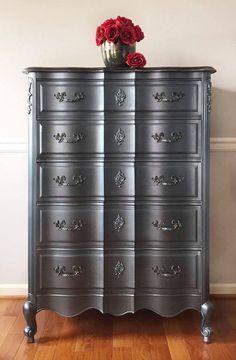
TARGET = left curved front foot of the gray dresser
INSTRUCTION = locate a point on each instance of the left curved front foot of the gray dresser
(29, 311)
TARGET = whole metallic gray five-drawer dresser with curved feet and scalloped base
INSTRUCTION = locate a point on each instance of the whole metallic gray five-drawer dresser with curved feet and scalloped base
(118, 191)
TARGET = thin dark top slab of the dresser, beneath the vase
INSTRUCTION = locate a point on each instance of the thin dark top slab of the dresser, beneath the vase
(102, 69)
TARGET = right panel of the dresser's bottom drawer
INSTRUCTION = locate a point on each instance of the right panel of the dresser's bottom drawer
(168, 270)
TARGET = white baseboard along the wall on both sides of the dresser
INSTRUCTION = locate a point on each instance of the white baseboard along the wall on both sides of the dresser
(22, 289)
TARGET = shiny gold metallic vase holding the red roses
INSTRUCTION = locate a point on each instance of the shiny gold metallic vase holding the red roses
(114, 55)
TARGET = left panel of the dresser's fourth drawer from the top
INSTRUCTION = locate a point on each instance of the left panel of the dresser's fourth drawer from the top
(70, 225)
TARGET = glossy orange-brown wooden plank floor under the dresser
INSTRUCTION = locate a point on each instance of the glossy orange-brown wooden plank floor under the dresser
(93, 336)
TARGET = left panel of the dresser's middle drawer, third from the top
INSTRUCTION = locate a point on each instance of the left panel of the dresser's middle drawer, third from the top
(70, 181)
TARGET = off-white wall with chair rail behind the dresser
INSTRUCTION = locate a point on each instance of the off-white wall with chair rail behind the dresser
(61, 33)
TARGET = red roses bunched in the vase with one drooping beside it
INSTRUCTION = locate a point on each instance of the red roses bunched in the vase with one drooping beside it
(122, 30)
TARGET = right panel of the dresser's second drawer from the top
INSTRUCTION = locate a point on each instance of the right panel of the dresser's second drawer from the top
(169, 138)
